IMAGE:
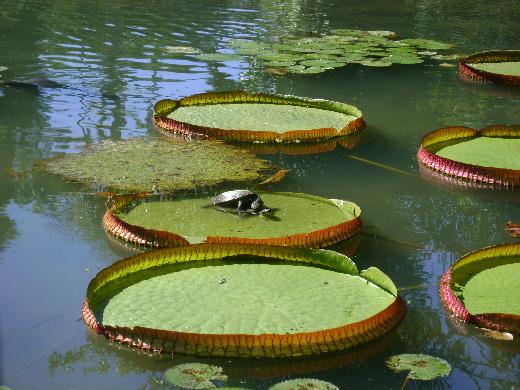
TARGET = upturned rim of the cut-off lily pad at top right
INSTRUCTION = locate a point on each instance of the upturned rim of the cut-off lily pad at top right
(469, 73)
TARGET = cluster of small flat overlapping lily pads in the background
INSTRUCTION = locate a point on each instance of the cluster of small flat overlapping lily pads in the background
(341, 47)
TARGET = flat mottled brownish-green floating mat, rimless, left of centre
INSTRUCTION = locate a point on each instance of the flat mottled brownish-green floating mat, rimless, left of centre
(147, 164)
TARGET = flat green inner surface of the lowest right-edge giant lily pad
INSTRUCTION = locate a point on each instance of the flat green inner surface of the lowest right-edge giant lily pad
(494, 290)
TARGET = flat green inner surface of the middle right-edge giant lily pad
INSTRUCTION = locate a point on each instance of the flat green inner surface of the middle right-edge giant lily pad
(485, 151)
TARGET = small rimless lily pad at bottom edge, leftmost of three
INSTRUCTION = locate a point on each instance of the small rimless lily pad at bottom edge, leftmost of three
(194, 375)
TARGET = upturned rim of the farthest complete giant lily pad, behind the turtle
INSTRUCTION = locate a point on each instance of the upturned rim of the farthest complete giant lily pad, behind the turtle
(166, 106)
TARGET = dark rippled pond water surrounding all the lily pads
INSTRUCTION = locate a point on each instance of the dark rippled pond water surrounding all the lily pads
(112, 59)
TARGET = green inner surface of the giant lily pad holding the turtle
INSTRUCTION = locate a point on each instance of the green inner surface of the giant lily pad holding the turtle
(193, 219)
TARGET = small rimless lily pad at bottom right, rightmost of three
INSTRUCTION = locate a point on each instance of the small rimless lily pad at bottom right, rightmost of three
(422, 367)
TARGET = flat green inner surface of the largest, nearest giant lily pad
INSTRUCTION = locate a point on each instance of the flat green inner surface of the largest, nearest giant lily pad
(246, 299)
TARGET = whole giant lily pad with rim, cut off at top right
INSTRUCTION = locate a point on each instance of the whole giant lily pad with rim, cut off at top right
(495, 66)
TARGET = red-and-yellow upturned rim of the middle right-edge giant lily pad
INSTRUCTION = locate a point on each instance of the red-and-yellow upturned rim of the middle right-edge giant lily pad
(479, 176)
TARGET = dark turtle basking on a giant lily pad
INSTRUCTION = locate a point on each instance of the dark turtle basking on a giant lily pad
(241, 201)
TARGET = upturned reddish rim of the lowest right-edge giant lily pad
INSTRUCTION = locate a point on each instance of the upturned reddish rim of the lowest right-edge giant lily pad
(496, 321)
